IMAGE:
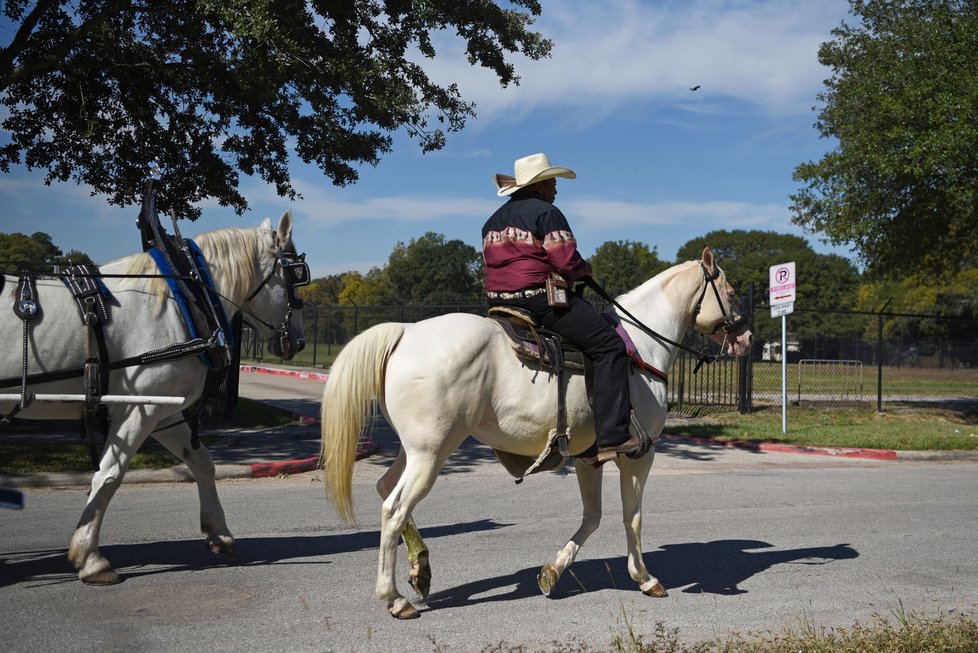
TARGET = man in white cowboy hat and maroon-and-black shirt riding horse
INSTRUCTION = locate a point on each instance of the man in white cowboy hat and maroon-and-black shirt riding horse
(526, 244)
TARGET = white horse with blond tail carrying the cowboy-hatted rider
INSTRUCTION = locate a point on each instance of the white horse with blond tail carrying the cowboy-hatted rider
(440, 380)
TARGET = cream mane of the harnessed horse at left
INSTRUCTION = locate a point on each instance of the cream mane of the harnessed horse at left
(230, 254)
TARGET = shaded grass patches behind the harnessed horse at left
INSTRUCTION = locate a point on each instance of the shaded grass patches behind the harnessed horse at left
(20, 457)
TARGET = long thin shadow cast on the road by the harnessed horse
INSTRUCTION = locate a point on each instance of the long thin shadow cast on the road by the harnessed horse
(51, 566)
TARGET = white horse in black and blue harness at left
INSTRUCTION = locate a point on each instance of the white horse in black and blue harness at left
(247, 268)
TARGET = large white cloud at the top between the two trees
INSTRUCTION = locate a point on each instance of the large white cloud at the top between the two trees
(614, 53)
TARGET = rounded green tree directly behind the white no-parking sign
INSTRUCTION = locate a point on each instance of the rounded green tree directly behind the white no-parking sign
(825, 281)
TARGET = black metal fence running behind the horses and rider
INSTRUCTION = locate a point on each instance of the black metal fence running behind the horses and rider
(915, 359)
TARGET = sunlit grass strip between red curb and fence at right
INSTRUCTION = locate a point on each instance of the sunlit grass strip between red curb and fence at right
(917, 428)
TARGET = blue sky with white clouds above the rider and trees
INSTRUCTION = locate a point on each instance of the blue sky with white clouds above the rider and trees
(656, 162)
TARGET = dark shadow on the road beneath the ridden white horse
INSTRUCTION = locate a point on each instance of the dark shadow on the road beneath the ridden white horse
(716, 567)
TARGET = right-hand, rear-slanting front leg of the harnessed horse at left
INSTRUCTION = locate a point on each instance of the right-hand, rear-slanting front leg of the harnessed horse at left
(176, 439)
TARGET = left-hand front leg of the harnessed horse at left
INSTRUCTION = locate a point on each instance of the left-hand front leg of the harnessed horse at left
(121, 445)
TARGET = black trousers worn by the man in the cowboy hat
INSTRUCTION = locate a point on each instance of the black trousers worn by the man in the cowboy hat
(584, 327)
